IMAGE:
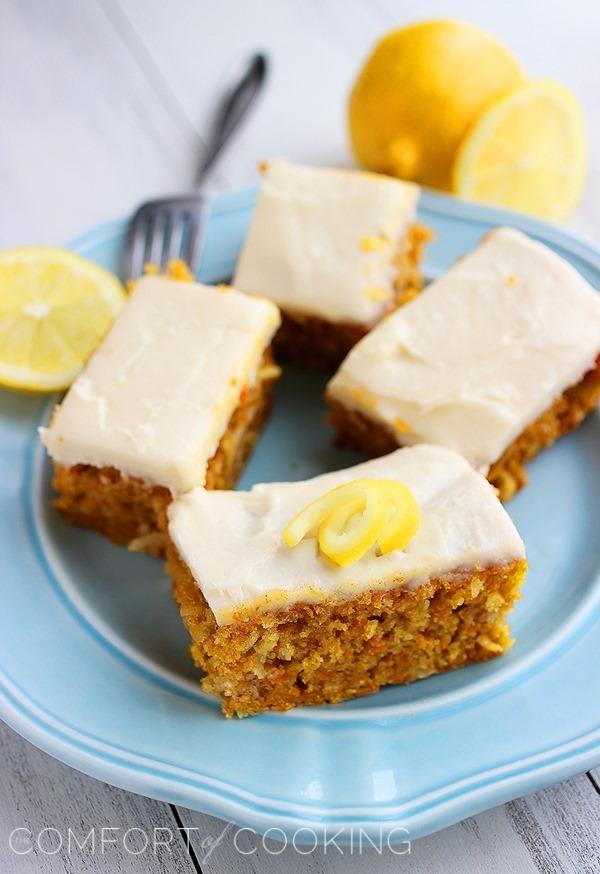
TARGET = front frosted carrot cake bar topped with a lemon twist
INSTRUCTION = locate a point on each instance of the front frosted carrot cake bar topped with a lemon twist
(279, 618)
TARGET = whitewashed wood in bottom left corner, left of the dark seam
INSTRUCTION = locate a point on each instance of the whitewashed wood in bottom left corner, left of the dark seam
(54, 819)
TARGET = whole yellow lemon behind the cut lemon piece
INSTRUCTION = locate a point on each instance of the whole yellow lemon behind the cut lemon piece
(418, 93)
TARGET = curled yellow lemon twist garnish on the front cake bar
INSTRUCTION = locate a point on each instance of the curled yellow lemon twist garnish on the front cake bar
(351, 519)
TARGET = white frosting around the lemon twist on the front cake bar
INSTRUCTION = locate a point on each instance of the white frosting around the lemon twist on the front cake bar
(232, 541)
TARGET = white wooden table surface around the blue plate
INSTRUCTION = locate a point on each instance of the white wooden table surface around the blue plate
(105, 102)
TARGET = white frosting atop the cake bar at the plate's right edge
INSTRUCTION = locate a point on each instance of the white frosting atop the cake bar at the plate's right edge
(481, 353)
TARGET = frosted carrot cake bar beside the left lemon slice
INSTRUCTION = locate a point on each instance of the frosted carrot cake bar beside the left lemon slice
(174, 397)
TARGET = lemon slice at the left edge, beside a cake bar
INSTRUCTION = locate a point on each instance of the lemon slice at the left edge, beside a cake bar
(55, 307)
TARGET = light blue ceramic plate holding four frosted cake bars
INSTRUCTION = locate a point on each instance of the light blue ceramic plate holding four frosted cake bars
(93, 661)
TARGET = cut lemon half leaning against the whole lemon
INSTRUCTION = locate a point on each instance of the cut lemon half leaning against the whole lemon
(526, 151)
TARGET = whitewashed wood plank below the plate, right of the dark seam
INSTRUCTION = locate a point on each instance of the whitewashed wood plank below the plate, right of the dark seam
(556, 831)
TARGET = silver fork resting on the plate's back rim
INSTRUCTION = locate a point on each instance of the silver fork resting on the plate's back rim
(173, 227)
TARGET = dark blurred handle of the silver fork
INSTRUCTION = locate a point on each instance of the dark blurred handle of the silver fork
(232, 110)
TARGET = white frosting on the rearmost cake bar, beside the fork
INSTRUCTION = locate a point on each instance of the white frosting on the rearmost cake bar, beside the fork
(323, 242)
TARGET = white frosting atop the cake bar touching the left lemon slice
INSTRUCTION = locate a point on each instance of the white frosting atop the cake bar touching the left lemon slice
(155, 398)
